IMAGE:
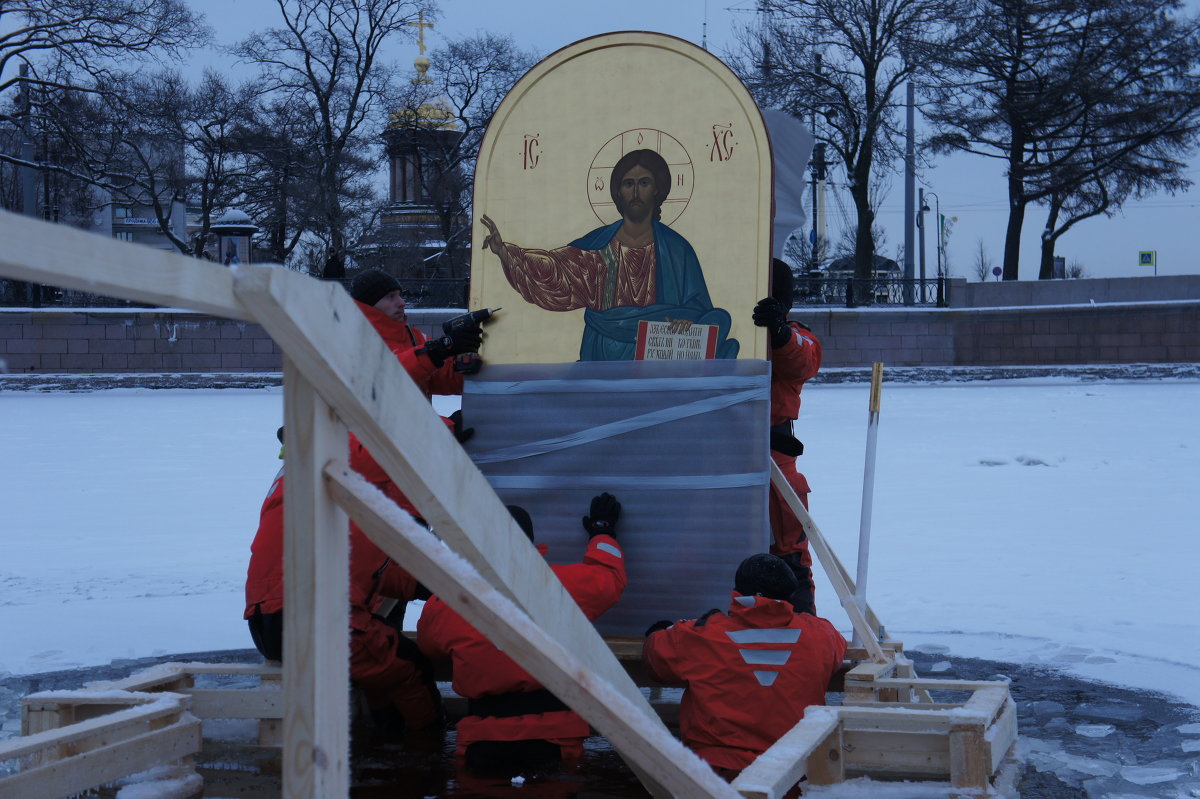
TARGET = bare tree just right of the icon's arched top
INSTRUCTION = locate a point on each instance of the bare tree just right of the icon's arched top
(844, 62)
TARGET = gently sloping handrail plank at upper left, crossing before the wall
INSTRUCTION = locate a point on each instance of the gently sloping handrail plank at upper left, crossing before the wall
(59, 255)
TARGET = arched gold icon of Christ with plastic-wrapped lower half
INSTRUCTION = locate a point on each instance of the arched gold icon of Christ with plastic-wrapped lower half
(623, 226)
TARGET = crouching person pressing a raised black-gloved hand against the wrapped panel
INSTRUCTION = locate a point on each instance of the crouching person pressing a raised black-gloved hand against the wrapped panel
(513, 724)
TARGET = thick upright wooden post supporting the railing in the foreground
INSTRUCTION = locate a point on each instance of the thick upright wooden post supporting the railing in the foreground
(316, 594)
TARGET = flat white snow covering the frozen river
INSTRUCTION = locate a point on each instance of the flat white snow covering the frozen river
(1046, 521)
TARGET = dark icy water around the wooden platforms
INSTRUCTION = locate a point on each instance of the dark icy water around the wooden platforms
(1142, 735)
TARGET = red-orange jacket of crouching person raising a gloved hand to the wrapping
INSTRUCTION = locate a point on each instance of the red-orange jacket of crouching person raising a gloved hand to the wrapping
(481, 670)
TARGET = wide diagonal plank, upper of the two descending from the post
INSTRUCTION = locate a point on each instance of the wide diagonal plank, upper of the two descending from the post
(331, 341)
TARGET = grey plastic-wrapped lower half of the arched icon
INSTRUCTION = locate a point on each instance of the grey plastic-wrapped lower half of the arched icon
(682, 444)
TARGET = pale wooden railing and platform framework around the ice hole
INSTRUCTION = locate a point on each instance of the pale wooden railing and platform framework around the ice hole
(340, 375)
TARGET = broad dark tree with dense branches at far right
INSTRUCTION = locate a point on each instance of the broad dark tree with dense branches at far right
(1085, 104)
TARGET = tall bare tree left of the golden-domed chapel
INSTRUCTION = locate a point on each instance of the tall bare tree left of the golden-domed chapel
(325, 62)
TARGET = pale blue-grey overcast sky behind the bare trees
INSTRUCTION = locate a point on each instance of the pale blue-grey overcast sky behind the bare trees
(968, 188)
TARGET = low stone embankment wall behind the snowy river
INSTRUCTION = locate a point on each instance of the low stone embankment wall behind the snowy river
(1118, 321)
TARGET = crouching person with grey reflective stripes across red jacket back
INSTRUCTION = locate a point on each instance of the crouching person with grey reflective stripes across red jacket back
(749, 674)
